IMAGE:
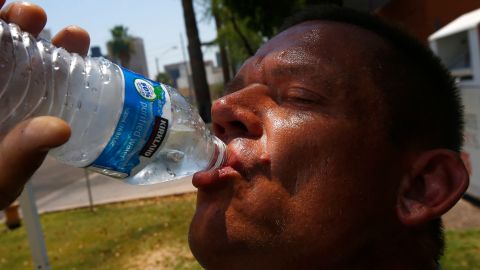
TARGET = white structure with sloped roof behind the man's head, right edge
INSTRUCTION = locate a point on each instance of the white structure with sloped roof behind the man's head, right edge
(457, 44)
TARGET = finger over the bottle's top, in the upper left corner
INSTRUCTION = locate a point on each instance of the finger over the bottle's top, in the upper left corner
(30, 17)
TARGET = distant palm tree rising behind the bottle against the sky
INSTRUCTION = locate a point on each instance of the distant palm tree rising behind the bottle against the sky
(120, 48)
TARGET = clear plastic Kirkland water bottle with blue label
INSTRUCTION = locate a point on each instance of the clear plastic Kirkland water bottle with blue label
(123, 125)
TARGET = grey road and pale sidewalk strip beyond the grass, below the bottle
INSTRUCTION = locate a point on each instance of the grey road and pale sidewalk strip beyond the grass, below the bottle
(58, 187)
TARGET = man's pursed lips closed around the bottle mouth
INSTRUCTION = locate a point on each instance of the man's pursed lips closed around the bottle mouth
(206, 180)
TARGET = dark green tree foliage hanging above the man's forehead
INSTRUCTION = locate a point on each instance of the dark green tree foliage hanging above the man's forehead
(246, 24)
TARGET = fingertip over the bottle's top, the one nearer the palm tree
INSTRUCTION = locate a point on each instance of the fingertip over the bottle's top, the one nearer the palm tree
(73, 39)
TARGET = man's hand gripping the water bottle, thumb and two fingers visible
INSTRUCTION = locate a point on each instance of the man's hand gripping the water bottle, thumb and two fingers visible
(24, 148)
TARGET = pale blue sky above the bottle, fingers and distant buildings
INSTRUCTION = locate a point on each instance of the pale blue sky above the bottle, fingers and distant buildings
(159, 22)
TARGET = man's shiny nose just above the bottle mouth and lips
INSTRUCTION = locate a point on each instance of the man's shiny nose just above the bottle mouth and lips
(238, 115)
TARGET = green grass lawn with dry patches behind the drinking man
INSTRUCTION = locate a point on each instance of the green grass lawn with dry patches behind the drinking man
(150, 234)
